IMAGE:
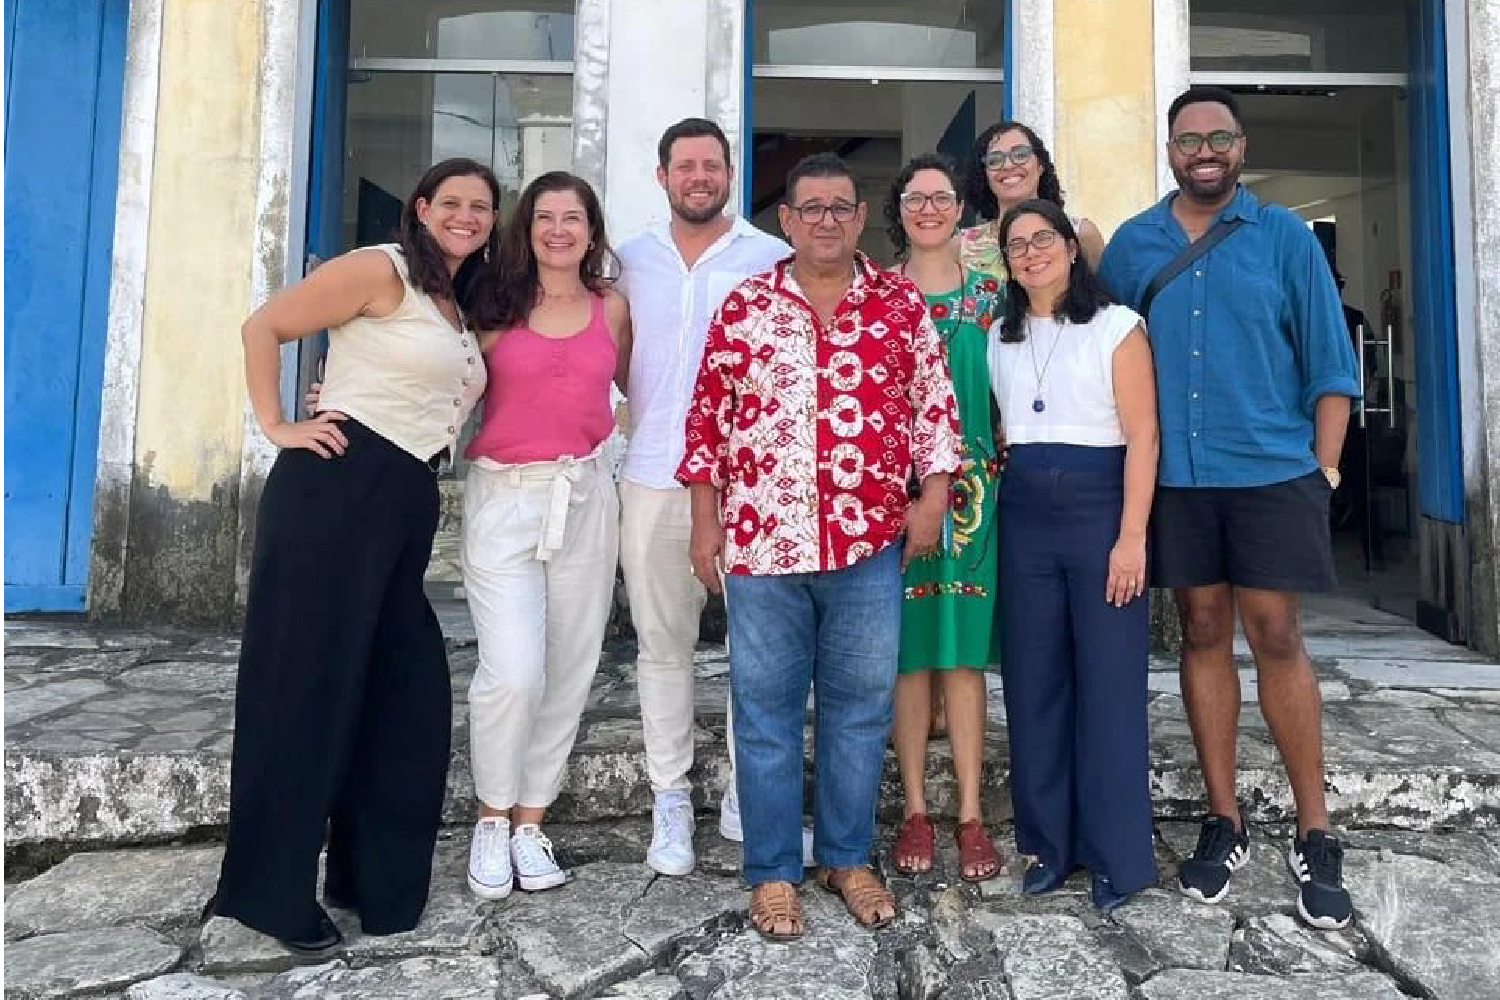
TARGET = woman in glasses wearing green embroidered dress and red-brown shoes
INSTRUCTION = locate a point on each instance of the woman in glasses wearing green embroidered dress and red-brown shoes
(949, 615)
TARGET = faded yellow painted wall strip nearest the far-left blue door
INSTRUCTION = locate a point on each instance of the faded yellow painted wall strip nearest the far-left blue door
(202, 239)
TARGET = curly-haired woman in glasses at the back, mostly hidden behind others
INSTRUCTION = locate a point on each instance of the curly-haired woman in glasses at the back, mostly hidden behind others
(1010, 166)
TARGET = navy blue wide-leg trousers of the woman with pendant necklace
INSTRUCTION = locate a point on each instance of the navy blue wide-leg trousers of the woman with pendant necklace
(1075, 668)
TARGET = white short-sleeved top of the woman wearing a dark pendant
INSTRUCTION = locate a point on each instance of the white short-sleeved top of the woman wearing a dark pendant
(1072, 371)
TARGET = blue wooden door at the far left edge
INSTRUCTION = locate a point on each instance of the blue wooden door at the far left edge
(65, 73)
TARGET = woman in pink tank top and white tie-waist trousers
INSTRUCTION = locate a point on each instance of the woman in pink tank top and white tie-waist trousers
(541, 519)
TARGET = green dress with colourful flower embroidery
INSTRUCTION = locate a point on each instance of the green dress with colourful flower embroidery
(950, 605)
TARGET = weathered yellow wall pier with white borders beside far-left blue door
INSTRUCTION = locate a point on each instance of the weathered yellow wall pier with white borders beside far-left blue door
(203, 233)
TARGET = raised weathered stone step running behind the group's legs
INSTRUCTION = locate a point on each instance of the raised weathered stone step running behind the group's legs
(124, 737)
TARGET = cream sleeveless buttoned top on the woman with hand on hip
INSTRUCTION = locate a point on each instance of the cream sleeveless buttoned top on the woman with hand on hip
(410, 377)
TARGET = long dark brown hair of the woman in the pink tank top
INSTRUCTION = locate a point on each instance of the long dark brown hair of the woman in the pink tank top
(514, 287)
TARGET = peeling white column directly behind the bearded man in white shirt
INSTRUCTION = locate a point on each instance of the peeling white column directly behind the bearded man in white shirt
(634, 77)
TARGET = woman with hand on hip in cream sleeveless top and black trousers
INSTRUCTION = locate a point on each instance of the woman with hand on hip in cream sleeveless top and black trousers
(343, 705)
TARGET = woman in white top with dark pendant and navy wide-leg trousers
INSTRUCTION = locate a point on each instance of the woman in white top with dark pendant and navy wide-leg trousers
(1073, 379)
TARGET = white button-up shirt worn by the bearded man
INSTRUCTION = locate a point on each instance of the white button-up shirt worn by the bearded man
(671, 308)
